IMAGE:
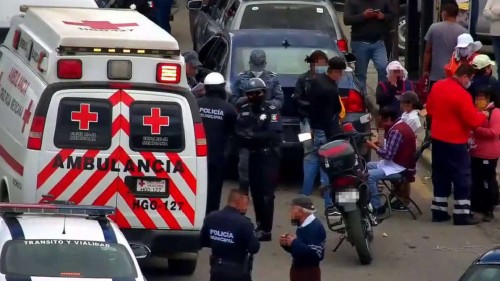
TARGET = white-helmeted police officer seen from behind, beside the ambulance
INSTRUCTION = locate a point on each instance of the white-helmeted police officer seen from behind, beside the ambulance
(219, 118)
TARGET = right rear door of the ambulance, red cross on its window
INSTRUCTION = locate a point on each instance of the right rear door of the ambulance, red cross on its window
(159, 172)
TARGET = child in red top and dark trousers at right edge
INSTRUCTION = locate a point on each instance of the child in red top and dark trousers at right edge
(485, 151)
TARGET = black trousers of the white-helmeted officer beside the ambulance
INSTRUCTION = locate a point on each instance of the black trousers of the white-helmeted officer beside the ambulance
(215, 183)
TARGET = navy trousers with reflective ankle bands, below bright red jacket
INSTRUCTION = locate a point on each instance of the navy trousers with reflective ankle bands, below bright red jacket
(451, 165)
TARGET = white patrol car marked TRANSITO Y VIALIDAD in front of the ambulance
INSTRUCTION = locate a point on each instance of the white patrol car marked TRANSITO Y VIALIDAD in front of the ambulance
(66, 242)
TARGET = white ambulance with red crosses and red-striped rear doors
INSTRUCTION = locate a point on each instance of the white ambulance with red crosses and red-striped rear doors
(95, 109)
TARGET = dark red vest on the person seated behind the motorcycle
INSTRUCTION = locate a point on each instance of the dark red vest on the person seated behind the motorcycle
(405, 156)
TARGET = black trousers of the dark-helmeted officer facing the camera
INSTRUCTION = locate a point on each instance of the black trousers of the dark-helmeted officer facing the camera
(263, 179)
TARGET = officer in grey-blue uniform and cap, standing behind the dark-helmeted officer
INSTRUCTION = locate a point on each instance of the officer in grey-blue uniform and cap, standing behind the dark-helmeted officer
(257, 63)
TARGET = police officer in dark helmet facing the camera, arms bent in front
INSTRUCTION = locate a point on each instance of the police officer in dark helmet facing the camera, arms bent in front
(258, 130)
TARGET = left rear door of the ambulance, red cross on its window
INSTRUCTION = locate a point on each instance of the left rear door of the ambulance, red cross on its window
(80, 152)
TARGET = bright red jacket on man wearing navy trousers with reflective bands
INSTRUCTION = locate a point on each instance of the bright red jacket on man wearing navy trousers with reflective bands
(453, 112)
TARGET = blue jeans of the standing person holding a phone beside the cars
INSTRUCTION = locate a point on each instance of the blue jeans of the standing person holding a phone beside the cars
(365, 52)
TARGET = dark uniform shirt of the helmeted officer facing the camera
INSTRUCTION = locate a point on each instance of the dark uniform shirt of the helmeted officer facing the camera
(265, 125)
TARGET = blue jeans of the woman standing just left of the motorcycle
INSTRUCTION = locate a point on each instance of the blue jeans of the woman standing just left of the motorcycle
(311, 167)
